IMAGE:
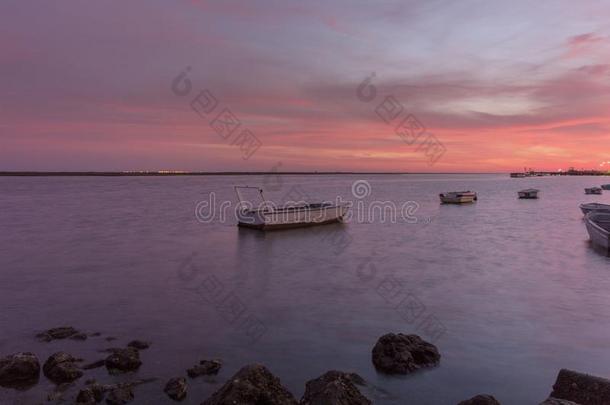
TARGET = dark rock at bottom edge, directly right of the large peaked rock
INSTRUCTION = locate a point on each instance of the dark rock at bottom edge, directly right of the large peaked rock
(334, 388)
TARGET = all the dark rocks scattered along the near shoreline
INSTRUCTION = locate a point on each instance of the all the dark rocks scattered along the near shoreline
(393, 353)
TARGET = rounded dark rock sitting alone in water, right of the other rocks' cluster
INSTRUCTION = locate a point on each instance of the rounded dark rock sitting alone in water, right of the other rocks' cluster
(403, 354)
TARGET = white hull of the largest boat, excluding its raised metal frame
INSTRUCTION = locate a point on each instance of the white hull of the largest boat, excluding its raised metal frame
(294, 217)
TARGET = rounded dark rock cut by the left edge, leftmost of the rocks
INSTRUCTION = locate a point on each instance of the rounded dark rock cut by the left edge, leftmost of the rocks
(19, 370)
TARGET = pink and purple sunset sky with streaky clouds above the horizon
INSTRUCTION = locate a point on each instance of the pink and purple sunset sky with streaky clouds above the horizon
(87, 85)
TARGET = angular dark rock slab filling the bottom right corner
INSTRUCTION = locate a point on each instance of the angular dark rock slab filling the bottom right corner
(581, 388)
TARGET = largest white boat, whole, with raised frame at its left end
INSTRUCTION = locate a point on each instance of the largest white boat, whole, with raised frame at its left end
(266, 216)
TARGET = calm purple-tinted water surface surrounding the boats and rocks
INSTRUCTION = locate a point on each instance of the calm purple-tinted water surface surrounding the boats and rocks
(515, 284)
